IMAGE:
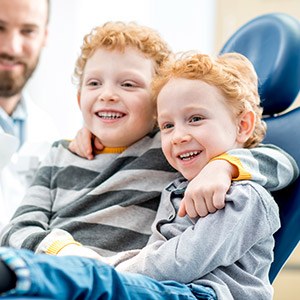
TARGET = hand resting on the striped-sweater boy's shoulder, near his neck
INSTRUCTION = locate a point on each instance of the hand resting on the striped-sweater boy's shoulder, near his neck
(84, 143)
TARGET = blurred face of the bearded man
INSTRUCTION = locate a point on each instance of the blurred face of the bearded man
(23, 32)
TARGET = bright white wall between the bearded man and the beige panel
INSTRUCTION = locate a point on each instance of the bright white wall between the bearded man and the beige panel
(185, 25)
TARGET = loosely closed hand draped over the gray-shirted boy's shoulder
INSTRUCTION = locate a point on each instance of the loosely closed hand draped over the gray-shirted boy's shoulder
(206, 192)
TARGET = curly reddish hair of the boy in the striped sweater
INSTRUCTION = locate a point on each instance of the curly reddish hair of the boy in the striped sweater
(118, 36)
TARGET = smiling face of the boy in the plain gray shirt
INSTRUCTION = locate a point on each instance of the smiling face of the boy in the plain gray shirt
(196, 124)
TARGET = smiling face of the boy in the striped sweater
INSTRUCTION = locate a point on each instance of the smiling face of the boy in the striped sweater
(115, 97)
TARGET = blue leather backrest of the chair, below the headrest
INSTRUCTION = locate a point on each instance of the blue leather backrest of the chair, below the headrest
(284, 132)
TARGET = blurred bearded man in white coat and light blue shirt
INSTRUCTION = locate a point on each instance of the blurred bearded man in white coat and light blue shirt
(23, 34)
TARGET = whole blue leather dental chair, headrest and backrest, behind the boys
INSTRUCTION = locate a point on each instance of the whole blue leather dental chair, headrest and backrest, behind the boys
(272, 43)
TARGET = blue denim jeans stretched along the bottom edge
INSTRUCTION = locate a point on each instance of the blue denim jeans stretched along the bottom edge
(72, 277)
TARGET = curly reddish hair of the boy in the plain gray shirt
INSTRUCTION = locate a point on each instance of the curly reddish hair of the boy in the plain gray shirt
(232, 73)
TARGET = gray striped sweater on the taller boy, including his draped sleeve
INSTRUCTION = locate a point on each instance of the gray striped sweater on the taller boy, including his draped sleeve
(109, 203)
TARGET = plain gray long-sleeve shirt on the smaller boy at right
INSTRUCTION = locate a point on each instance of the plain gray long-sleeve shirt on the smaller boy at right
(230, 250)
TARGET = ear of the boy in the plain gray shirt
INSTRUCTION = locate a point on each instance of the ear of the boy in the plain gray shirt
(246, 126)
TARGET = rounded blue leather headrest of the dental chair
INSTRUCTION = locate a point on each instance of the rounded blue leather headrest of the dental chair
(272, 43)
